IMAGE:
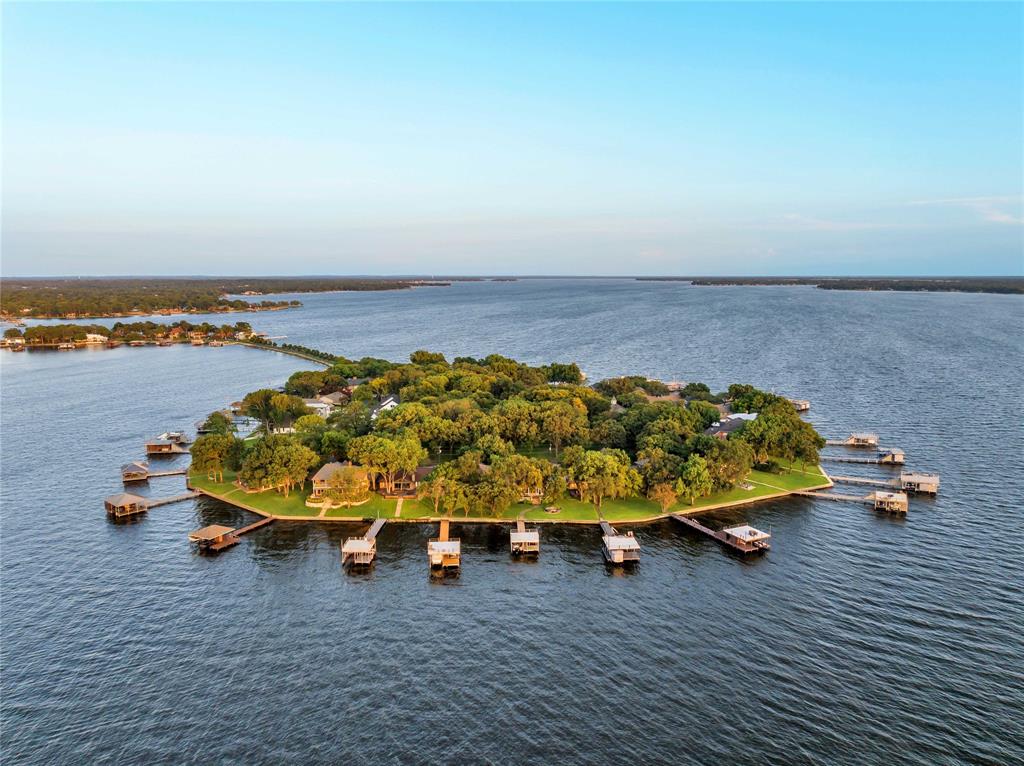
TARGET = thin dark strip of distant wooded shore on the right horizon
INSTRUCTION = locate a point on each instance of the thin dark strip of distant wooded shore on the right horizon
(926, 284)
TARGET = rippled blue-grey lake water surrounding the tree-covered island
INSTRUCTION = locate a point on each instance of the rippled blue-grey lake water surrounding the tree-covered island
(858, 640)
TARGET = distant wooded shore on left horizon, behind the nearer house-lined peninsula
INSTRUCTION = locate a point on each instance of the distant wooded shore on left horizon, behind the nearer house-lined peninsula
(74, 299)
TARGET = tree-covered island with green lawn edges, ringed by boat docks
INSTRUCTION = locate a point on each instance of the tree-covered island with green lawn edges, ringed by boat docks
(475, 438)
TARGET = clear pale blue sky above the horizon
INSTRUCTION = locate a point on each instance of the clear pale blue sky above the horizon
(534, 139)
